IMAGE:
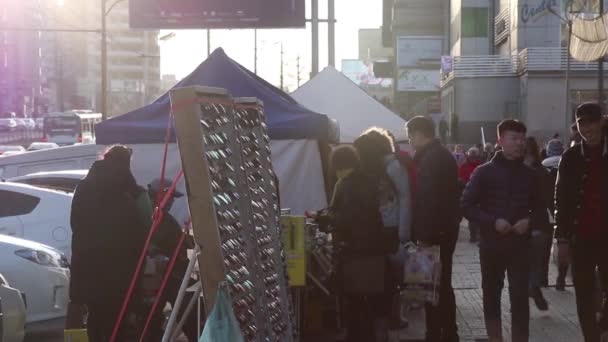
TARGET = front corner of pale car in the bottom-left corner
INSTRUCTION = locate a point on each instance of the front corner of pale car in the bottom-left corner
(12, 313)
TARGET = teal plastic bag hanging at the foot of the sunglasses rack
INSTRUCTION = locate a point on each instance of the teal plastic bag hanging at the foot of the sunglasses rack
(221, 325)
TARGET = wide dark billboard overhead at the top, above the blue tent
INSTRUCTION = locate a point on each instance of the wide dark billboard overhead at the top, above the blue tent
(216, 14)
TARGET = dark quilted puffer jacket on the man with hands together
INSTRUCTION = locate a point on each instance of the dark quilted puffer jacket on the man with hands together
(503, 189)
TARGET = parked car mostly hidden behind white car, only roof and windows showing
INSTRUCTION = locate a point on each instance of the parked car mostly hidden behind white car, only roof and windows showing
(57, 180)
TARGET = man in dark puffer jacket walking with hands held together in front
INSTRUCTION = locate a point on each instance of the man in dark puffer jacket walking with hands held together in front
(504, 198)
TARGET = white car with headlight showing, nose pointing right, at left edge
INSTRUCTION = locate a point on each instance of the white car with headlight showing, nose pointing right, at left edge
(41, 273)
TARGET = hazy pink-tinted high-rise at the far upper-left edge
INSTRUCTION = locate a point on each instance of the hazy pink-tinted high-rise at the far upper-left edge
(22, 83)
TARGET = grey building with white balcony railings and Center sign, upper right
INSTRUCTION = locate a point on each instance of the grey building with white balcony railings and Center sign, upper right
(508, 59)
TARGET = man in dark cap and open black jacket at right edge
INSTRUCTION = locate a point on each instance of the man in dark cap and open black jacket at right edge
(581, 215)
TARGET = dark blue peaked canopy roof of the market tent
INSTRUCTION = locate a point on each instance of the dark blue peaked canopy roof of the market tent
(286, 119)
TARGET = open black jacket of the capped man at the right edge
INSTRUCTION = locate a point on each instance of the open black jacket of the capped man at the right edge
(574, 168)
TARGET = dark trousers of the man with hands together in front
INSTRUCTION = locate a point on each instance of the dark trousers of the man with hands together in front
(495, 262)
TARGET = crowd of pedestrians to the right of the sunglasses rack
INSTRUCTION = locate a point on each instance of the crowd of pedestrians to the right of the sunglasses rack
(517, 197)
